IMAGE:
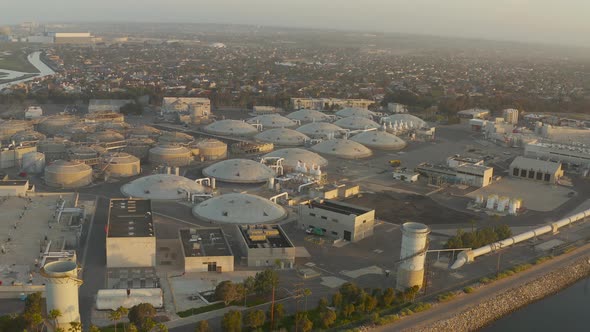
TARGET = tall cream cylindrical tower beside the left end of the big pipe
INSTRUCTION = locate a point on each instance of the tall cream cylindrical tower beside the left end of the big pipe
(413, 254)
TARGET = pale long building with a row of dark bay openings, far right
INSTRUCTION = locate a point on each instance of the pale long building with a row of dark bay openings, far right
(536, 170)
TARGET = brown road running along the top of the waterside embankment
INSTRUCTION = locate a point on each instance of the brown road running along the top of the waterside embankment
(452, 308)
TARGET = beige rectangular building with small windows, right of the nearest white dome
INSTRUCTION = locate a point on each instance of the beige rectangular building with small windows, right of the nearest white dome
(337, 219)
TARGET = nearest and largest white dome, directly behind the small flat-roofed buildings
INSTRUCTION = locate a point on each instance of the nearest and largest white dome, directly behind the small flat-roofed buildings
(239, 209)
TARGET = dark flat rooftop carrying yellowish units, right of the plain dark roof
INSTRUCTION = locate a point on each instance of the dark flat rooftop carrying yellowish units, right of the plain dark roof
(265, 236)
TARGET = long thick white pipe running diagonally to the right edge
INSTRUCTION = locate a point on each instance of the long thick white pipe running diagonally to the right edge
(470, 255)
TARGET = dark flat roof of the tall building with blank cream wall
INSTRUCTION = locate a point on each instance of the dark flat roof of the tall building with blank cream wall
(130, 218)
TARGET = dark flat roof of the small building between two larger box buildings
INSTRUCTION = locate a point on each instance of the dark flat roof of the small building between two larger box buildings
(202, 242)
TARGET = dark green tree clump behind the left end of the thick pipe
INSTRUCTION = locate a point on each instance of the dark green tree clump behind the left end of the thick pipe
(479, 237)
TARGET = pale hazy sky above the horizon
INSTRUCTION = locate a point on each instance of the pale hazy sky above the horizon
(549, 21)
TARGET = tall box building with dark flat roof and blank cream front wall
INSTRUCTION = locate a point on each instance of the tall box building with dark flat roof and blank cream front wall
(131, 238)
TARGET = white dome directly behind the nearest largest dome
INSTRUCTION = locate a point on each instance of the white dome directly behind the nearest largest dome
(239, 171)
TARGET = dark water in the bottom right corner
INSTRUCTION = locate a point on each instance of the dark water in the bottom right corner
(566, 311)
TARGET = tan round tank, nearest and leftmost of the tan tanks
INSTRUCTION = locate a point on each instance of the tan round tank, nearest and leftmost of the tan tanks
(68, 174)
